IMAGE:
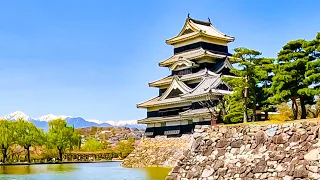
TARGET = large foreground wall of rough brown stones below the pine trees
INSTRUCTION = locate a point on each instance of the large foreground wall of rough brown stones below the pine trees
(280, 151)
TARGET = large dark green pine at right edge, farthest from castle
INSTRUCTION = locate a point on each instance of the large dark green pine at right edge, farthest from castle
(297, 68)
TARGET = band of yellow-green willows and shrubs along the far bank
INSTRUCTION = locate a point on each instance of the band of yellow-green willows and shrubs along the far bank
(22, 141)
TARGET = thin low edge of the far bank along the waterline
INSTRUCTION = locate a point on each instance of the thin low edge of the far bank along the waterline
(67, 162)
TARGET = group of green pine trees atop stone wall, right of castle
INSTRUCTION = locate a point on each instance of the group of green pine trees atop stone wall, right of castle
(289, 83)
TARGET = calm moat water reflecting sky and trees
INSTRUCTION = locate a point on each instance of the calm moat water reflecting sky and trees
(85, 171)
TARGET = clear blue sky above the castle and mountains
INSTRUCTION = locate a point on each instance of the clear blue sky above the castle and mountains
(94, 59)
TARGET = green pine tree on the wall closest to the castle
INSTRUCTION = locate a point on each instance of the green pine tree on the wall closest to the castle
(253, 76)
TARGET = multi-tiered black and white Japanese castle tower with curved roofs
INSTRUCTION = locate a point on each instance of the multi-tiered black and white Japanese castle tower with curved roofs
(200, 60)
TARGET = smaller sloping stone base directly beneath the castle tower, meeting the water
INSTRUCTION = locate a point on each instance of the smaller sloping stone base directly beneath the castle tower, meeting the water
(157, 152)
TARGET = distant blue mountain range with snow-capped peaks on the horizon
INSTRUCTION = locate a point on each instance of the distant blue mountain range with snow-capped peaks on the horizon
(77, 122)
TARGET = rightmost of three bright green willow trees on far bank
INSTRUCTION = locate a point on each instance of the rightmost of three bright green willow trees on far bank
(62, 136)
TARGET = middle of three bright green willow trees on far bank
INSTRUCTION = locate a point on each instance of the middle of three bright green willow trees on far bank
(27, 135)
